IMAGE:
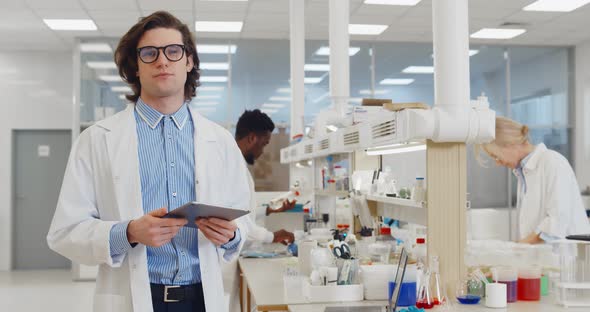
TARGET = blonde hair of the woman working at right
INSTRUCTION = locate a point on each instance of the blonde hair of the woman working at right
(508, 132)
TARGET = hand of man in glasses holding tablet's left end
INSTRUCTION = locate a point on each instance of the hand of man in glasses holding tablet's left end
(152, 230)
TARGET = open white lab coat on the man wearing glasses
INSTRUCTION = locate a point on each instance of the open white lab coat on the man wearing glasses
(102, 186)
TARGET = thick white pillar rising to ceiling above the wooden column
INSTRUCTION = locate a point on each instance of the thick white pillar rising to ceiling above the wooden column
(451, 54)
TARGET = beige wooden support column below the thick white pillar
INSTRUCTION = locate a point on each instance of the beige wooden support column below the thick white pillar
(446, 192)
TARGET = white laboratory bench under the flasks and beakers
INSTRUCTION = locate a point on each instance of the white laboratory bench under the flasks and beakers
(262, 280)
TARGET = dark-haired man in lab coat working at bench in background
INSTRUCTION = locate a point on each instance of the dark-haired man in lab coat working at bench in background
(253, 133)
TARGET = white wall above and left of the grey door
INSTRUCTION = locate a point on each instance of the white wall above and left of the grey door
(36, 91)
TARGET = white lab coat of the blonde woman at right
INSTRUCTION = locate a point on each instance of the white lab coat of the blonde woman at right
(552, 203)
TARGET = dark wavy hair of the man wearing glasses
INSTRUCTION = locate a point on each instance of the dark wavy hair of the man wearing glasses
(126, 56)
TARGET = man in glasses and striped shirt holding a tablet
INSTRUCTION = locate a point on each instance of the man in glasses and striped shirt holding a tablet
(127, 171)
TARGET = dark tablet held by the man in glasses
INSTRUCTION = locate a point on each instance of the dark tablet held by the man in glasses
(193, 210)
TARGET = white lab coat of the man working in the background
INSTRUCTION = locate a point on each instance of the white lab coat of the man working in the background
(256, 233)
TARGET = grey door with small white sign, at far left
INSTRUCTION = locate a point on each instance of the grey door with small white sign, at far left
(38, 162)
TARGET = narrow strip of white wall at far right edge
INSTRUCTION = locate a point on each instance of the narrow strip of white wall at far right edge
(582, 114)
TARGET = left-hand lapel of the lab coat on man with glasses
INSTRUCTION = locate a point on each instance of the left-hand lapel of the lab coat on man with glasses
(122, 150)
